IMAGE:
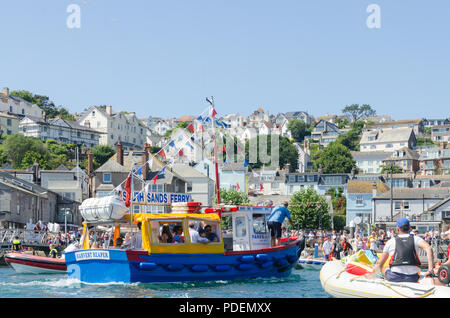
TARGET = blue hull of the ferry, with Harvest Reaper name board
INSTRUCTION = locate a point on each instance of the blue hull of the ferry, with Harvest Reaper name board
(114, 265)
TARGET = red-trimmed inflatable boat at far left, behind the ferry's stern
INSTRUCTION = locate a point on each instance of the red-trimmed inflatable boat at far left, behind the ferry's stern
(26, 263)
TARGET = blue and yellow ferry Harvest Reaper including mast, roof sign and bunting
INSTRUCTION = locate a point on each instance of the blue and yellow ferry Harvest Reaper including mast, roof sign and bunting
(173, 249)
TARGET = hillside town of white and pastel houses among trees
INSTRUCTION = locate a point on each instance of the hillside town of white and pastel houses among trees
(371, 168)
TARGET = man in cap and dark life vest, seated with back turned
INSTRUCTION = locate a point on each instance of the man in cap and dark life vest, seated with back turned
(404, 265)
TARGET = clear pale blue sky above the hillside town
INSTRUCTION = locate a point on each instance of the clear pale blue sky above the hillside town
(162, 58)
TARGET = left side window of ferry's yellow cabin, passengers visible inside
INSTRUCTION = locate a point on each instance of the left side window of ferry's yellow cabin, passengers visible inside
(167, 232)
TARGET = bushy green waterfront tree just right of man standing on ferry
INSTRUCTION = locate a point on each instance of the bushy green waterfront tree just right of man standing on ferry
(309, 210)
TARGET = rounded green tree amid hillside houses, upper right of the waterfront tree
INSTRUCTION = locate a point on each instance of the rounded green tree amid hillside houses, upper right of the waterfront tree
(336, 158)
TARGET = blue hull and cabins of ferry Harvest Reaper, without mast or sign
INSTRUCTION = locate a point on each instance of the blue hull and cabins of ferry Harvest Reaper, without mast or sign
(242, 253)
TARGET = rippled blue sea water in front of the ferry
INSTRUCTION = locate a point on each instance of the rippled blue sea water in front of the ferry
(302, 283)
